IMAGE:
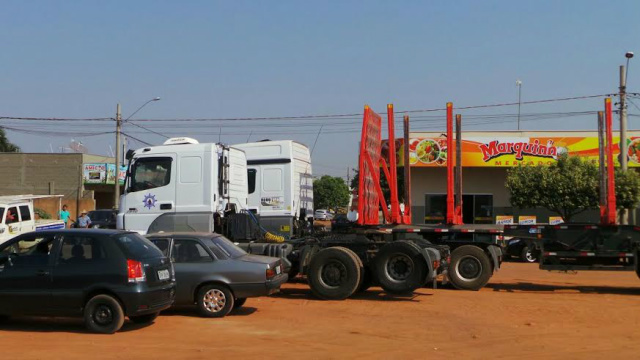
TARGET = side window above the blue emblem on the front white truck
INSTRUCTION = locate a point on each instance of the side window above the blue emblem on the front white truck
(150, 173)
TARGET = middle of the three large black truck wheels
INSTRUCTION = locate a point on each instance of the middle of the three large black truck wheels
(400, 267)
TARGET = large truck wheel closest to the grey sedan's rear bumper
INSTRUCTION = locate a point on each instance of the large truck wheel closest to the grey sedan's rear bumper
(334, 273)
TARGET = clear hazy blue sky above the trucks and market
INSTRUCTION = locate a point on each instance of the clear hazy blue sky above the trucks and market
(220, 59)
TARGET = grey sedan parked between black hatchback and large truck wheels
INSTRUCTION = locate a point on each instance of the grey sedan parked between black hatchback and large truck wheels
(216, 275)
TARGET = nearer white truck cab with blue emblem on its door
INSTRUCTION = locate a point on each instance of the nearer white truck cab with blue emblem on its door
(182, 185)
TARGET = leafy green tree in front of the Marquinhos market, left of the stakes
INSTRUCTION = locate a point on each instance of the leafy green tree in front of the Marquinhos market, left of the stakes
(567, 187)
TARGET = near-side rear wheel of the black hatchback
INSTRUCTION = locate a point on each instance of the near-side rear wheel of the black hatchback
(103, 314)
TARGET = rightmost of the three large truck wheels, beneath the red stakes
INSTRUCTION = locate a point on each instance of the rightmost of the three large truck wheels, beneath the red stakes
(470, 268)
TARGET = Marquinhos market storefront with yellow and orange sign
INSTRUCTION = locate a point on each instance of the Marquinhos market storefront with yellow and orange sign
(486, 158)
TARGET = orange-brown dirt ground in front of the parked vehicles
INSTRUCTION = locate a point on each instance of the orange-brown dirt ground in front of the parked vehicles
(523, 312)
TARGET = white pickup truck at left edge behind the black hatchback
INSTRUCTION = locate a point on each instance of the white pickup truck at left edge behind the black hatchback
(17, 216)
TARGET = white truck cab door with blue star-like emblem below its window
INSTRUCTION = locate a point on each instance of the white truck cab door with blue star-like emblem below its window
(150, 192)
